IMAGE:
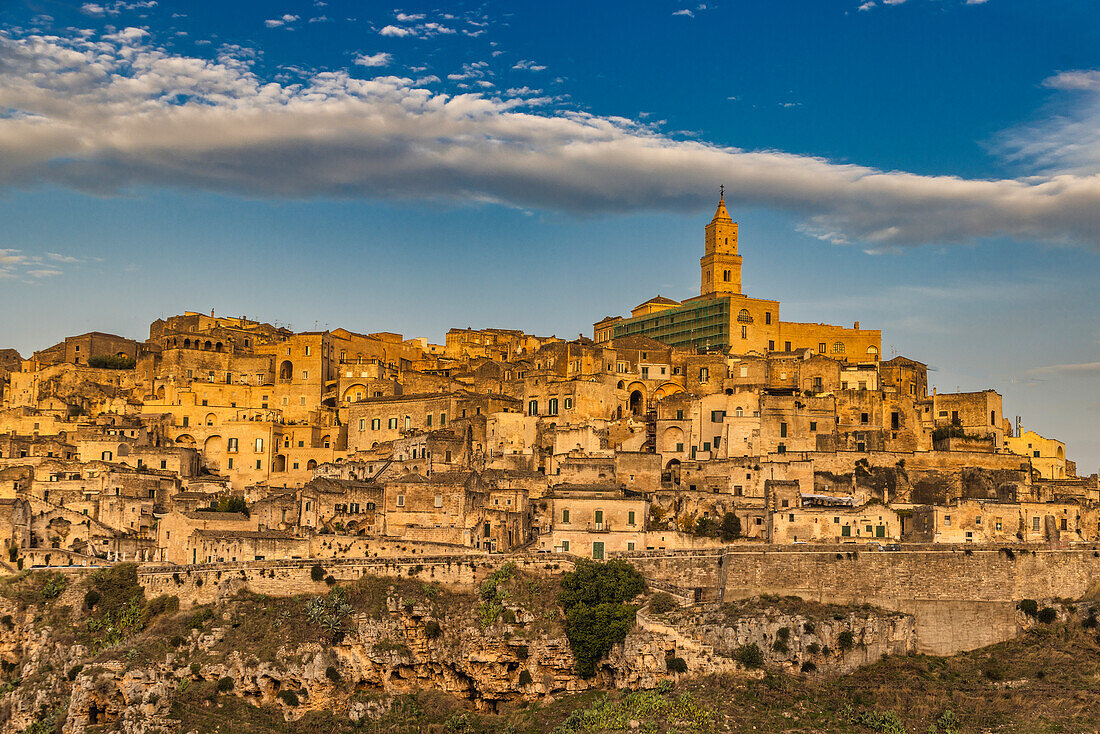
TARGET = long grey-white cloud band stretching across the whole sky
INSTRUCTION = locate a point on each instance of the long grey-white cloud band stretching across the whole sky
(116, 114)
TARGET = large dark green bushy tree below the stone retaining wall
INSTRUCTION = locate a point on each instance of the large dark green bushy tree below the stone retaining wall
(593, 597)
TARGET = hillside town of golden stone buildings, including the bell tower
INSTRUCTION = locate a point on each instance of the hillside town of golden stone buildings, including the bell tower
(684, 426)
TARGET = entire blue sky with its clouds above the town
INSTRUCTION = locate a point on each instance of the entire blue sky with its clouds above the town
(929, 168)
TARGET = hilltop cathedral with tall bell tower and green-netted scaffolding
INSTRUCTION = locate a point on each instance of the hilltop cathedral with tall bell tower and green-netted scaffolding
(724, 319)
